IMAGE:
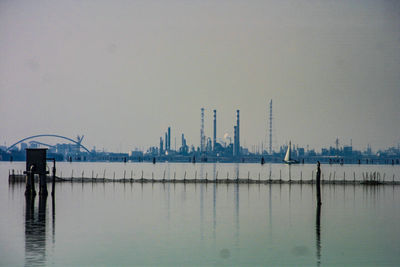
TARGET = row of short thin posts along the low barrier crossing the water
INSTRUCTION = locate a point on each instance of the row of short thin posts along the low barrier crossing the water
(331, 178)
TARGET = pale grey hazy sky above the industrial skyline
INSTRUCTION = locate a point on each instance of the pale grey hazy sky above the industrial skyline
(121, 72)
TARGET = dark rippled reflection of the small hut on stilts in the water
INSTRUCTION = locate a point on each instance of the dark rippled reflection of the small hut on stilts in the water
(35, 231)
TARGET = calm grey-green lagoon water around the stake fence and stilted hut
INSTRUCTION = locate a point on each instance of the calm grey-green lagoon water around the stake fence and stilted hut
(201, 224)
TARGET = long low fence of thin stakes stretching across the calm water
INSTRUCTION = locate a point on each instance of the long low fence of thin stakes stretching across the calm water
(366, 178)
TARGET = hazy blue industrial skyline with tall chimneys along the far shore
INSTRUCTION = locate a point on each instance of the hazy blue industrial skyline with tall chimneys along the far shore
(211, 149)
